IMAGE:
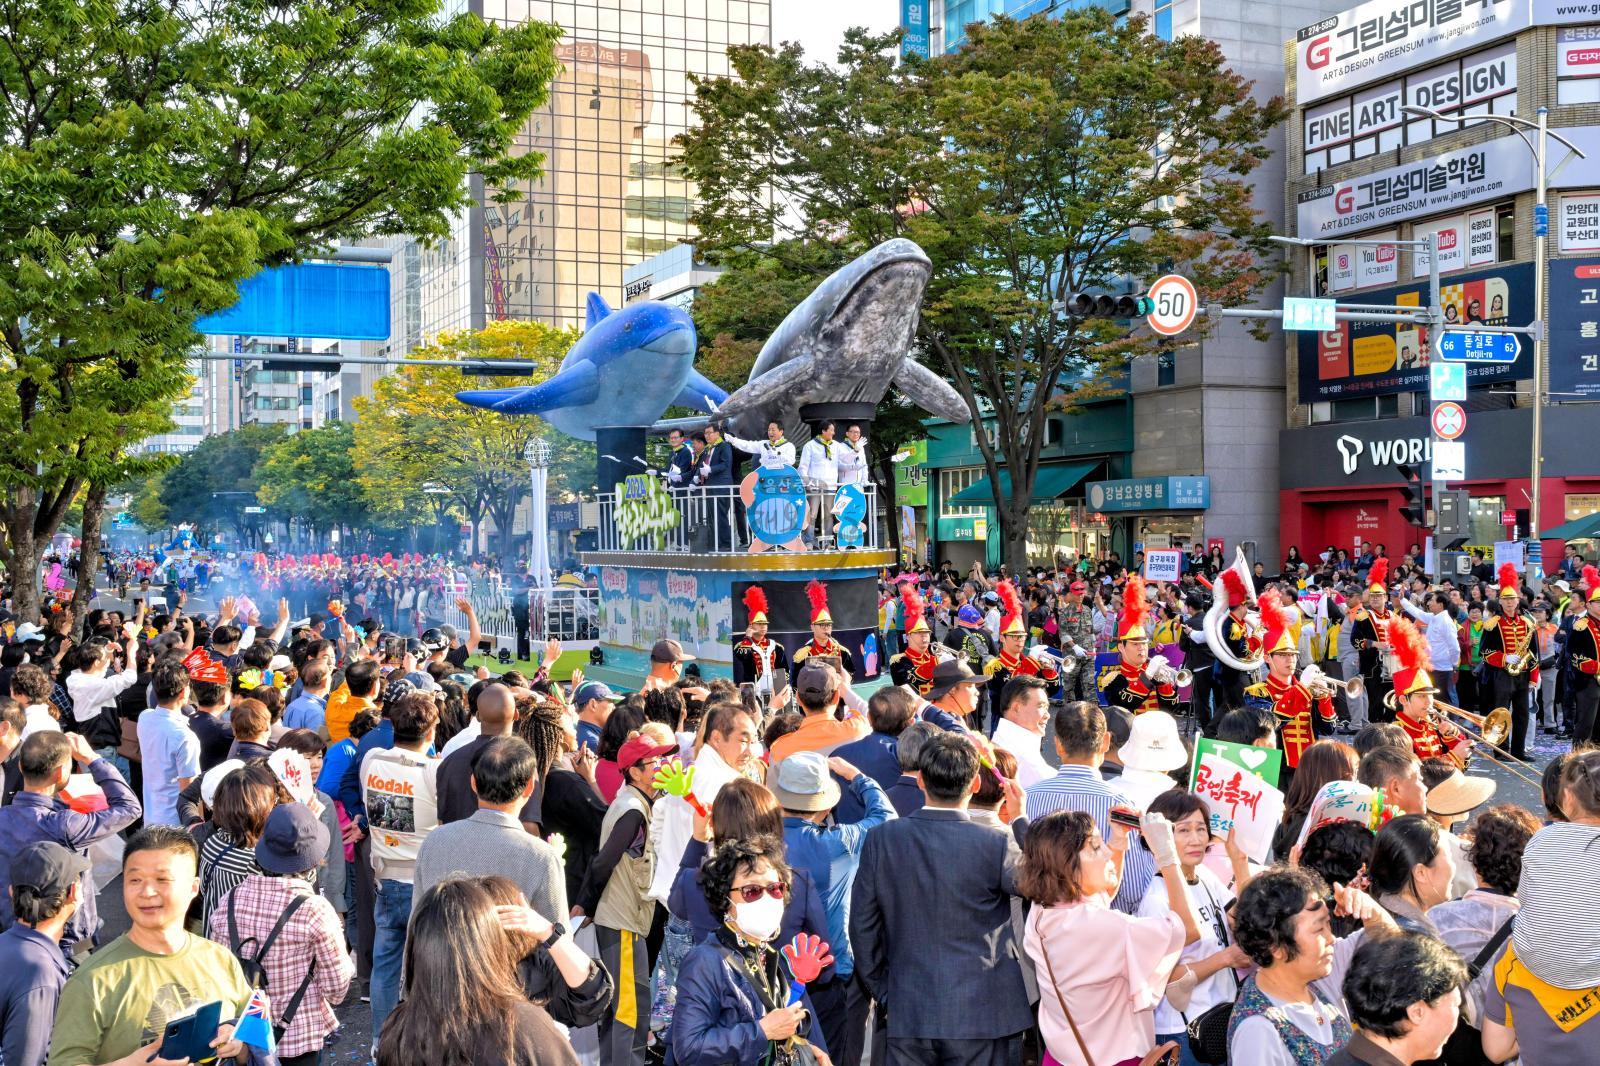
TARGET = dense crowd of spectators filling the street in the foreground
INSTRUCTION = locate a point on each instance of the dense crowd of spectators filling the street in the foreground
(967, 867)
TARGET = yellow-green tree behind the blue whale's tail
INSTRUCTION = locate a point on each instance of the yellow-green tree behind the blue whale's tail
(415, 438)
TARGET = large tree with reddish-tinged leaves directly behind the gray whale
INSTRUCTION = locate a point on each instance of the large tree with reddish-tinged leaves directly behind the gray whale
(1047, 156)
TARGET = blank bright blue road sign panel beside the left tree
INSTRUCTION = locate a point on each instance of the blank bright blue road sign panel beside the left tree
(330, 302)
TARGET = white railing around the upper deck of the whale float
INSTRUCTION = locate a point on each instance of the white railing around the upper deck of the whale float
(713, 521)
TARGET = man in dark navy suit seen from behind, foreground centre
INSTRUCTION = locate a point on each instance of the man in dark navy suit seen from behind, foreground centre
(970, 955)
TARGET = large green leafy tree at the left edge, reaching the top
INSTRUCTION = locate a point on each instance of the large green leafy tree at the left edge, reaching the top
(156, 154)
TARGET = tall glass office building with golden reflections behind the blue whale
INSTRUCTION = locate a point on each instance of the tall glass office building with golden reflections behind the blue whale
(609, 198)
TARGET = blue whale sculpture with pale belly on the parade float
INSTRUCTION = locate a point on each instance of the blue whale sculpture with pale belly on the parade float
(630, 367)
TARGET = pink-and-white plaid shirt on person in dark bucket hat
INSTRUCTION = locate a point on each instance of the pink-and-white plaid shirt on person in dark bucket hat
(314, 932)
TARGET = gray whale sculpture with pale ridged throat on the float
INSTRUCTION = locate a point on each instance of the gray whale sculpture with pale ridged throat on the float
(846, 343)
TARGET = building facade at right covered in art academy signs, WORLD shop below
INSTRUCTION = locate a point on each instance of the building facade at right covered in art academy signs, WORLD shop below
(1362, 169)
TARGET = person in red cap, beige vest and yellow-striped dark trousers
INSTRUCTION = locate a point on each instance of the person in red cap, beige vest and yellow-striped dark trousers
(617, 894)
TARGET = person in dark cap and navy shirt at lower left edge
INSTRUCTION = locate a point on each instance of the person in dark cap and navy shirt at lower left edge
(47, 889)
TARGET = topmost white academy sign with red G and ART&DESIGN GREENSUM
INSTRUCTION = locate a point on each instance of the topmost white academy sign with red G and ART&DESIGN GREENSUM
(1383, 39)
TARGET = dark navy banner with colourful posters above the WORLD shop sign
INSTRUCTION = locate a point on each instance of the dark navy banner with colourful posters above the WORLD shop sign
(1383, 358)
